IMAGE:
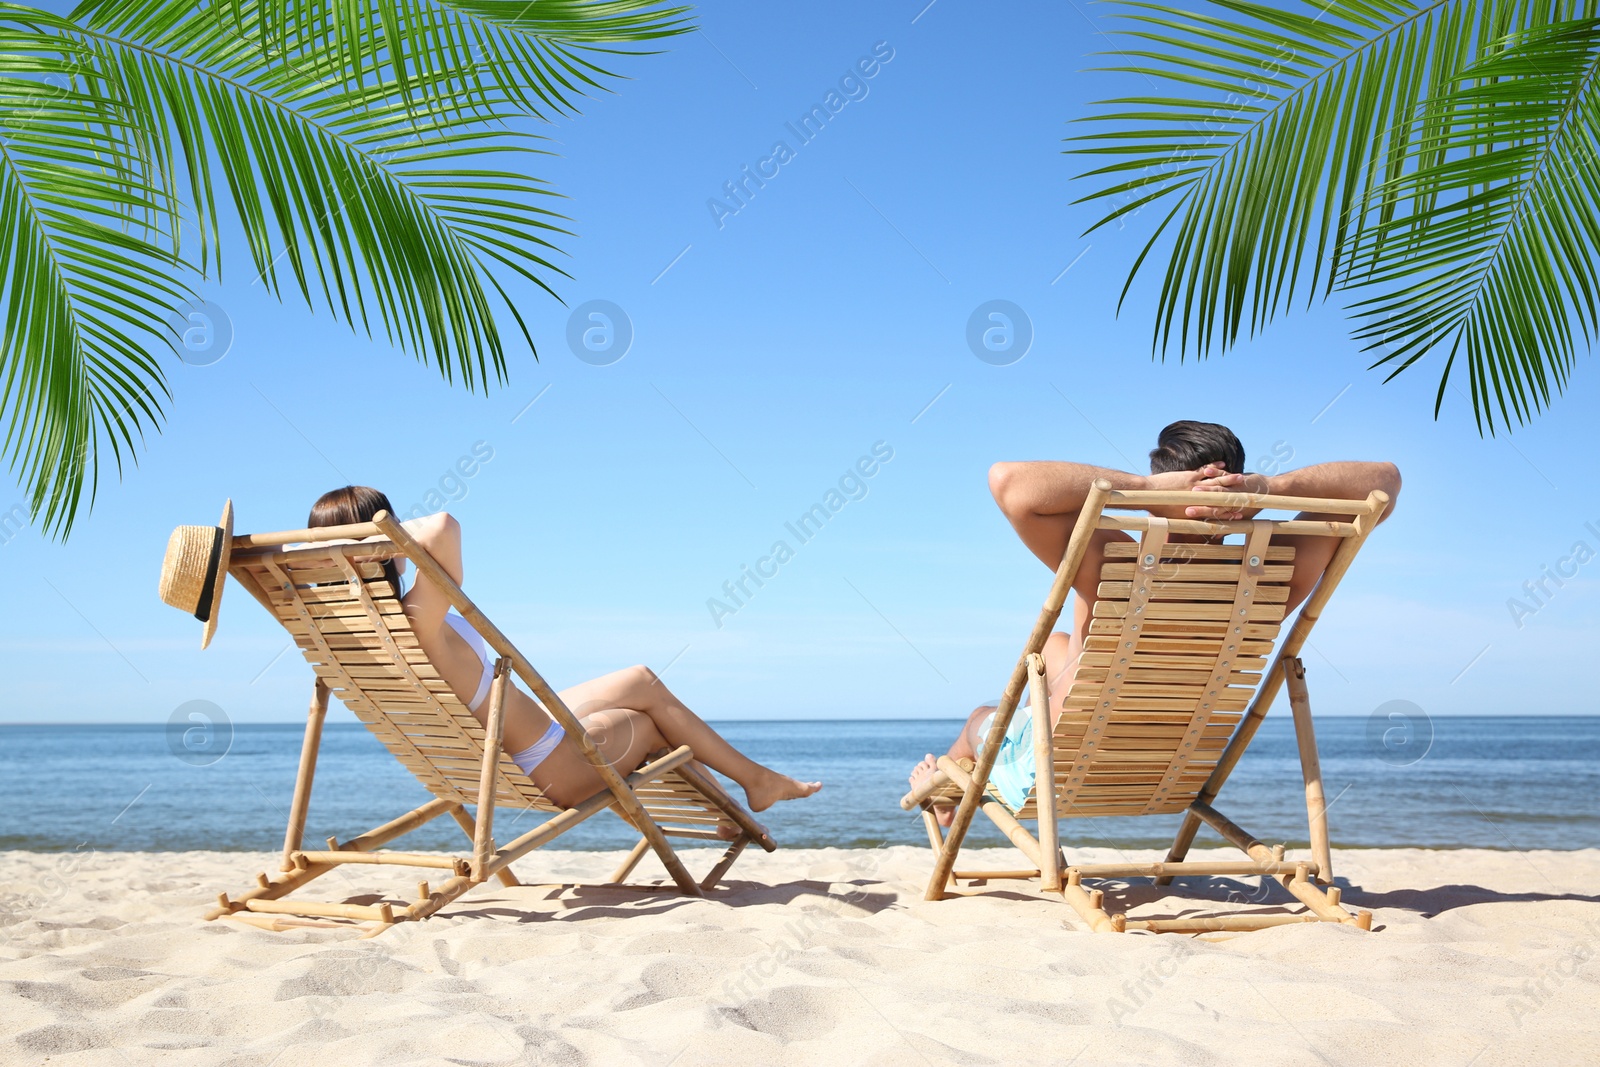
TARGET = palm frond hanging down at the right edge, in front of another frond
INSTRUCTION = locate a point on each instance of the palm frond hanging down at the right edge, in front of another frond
(1498, 255)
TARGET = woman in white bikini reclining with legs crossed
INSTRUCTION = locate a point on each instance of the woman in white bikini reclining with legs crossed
(628, 714)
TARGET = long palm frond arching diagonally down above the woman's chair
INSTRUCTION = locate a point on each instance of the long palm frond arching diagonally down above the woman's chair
(369, 206)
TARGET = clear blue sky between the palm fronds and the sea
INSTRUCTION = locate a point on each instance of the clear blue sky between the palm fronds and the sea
(769, 356)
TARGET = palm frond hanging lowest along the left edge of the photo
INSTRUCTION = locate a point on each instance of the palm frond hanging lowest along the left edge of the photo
(84, 294)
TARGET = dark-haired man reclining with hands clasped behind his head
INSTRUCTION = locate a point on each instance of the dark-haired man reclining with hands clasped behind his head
(1042, 502)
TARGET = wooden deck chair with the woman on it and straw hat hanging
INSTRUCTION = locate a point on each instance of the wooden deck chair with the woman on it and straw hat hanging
(350, 623)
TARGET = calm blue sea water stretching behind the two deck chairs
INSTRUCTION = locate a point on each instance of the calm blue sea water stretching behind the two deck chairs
(1482, 783)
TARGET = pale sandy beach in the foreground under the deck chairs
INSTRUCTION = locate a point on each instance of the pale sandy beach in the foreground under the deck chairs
(810, 957)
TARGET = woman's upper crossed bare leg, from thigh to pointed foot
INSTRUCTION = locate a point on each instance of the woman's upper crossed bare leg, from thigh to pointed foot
(641, 690)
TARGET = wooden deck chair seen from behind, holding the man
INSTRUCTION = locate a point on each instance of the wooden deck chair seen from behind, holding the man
(1172, 687)
